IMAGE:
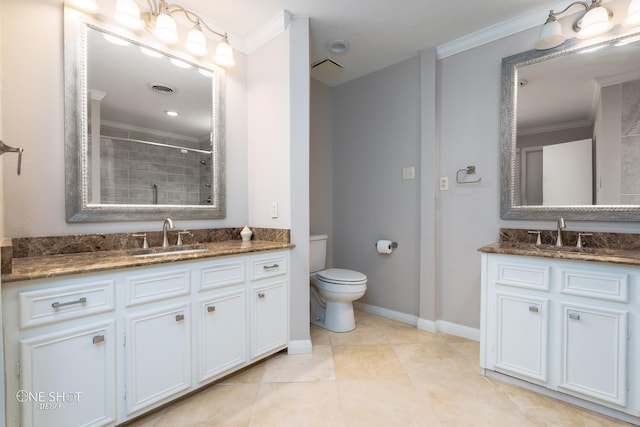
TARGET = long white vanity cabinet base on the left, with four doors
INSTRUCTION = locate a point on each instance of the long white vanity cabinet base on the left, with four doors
(107, 347)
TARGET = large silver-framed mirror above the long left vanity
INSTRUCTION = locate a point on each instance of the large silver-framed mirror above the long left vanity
(144, 134)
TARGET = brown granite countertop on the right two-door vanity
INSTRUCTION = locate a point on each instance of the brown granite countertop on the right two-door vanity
(604, 255)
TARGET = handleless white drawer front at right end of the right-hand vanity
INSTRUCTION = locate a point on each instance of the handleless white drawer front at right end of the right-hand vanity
(604, 284)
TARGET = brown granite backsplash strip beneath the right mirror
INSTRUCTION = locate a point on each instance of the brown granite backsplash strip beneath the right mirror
(626, 241)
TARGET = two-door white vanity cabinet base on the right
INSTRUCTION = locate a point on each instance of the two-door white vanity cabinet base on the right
(567, 326)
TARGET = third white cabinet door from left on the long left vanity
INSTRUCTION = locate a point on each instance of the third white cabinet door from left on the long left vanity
(223, 339)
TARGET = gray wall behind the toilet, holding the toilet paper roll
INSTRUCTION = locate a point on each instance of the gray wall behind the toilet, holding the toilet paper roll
(376, 132)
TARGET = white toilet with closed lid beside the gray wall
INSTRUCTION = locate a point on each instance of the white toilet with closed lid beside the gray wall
(332, 290)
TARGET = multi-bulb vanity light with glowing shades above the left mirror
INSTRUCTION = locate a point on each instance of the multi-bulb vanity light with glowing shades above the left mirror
(159, 20)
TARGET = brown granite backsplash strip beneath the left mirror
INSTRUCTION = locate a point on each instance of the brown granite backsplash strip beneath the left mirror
(54, 245)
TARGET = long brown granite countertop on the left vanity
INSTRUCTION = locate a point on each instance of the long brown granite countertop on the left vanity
(38, 267)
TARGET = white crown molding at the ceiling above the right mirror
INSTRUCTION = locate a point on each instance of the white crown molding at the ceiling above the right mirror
(533, 18)
